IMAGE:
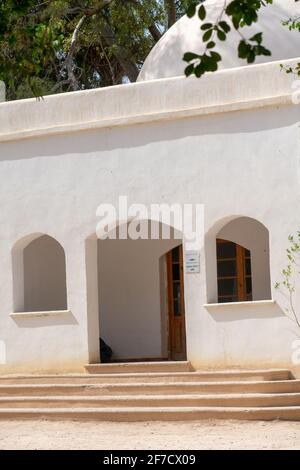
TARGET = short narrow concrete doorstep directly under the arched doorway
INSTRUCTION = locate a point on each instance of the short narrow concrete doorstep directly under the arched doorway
(133, 367)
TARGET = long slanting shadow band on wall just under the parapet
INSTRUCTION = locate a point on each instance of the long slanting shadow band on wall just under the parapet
(96, 141)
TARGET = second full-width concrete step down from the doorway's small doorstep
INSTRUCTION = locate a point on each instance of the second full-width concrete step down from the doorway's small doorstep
(156, 388)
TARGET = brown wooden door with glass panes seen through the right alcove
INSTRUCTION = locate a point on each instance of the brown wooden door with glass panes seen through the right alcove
(234, 272)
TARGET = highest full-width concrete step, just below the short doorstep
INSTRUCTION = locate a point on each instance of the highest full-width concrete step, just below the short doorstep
(198, 376)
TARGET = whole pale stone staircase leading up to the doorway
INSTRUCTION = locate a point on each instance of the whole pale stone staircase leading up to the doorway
(152, 391)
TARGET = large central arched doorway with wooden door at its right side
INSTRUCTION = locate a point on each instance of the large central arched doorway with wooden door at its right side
(141, 298)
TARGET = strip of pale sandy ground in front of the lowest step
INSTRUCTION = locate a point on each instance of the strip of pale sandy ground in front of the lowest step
(73, 435)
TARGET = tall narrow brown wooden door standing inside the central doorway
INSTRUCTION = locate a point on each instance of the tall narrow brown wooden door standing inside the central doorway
(177, 334)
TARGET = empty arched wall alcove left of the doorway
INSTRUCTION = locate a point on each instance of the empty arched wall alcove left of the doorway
(39, 274)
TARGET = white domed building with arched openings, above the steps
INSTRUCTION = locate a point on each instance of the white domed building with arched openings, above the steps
(229, 142)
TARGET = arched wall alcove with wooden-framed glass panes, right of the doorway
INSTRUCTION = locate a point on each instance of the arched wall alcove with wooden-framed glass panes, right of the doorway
(238, 261)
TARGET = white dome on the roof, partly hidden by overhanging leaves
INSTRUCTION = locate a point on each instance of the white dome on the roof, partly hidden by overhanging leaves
(165, 59)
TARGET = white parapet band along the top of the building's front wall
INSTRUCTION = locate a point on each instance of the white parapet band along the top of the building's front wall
(242, 88)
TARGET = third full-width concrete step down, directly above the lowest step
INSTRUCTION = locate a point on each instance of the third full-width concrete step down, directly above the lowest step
(153, 401)
